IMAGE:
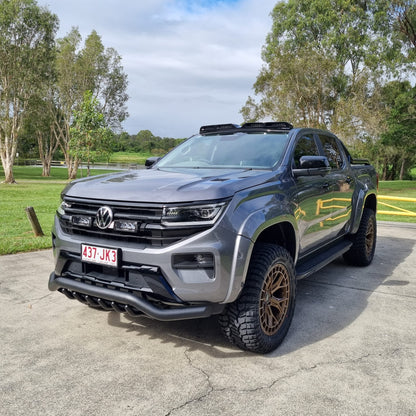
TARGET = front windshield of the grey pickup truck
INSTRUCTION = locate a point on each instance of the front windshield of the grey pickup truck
(239, 150)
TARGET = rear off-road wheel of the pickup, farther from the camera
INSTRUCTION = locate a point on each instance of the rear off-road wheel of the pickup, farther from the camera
(364, 241)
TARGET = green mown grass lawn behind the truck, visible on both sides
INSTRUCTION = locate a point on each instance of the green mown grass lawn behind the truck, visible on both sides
(43, 194)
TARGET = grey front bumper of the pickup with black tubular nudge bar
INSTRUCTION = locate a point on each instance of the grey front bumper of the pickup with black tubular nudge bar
(148, 275)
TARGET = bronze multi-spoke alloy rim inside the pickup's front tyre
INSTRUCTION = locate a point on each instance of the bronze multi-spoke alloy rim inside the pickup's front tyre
(274, 299)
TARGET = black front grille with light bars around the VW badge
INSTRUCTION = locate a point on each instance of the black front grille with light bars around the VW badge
(145, 223)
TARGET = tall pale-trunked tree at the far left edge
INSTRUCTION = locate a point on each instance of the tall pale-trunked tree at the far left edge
(26, 52)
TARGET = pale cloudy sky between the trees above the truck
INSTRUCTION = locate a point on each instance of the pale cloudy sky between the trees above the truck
(188, 62)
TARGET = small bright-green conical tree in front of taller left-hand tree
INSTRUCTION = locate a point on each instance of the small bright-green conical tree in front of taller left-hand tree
(90, 136)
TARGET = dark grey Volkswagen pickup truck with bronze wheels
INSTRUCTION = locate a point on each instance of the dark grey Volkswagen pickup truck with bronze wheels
(223, 224)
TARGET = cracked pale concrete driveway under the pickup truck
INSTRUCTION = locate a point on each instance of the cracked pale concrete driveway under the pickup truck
(350, 350)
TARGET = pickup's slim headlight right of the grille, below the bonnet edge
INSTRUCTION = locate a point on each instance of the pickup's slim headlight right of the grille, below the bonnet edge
(192, 215)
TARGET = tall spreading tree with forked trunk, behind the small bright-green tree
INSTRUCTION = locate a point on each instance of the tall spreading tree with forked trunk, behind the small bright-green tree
(92, 68)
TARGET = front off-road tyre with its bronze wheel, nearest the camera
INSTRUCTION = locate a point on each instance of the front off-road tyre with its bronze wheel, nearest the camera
(259, 319)
